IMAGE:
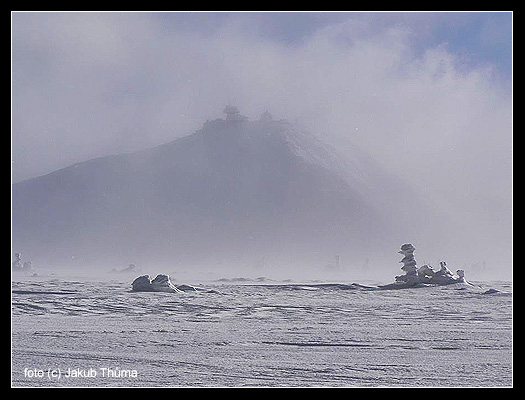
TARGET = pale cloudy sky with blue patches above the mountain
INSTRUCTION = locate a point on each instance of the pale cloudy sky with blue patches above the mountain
(427, 94)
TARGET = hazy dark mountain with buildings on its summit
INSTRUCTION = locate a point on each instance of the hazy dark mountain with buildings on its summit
(234, 191)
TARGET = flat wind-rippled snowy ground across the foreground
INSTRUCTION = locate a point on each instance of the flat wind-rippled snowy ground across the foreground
(258, 334)
